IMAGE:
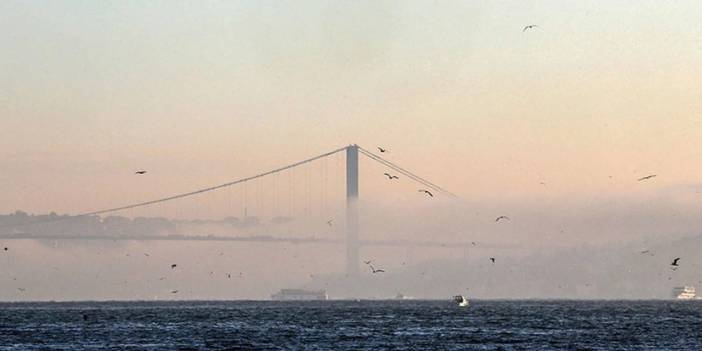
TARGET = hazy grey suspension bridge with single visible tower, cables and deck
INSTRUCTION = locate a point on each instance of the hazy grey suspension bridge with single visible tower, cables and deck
(352, 241)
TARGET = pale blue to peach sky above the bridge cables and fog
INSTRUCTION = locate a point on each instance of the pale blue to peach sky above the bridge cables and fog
(560, 119)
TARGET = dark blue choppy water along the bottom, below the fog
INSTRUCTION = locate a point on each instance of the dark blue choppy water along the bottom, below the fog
(364, 325)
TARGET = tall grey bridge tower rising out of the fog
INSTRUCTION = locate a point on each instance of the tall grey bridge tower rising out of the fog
(352, 245)
